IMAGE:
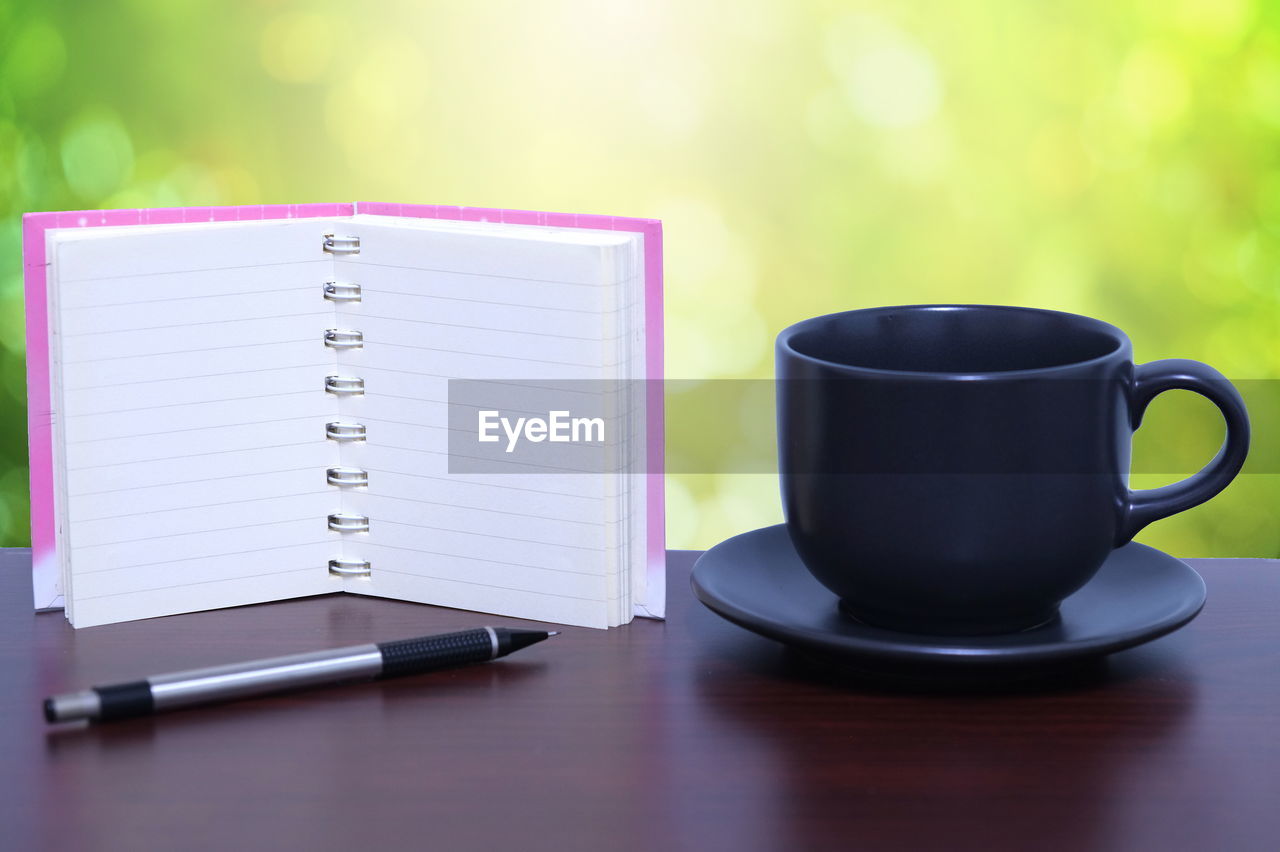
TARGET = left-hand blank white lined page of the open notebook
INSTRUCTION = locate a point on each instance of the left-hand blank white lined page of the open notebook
(189, 368)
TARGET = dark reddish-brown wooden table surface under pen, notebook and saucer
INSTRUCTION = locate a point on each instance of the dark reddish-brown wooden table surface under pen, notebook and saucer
(687, 735)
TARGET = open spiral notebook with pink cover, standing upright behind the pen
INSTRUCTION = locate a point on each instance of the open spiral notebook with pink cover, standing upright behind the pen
(243, 405)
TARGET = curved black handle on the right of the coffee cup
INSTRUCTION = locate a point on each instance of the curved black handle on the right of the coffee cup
(1178, 374)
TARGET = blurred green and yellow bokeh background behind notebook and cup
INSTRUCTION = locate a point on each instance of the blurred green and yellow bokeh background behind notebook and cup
(1110, 158)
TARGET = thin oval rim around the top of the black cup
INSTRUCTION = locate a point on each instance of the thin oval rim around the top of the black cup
(1122, 349)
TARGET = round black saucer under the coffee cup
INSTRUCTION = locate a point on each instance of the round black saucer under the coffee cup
(757, 581)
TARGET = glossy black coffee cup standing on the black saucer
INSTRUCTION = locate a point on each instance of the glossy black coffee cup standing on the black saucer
(962, 469)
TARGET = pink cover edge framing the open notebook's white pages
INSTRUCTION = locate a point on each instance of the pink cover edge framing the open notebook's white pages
(48, 596)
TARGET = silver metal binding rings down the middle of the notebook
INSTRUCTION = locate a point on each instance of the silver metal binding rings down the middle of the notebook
(345, 432)
